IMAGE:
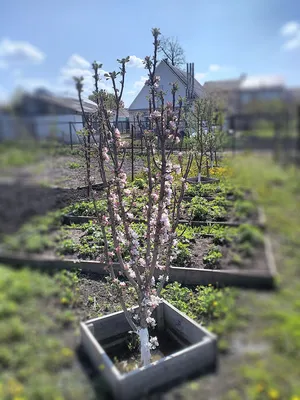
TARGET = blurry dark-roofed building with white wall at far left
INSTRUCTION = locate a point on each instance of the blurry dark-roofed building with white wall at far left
(41, 115)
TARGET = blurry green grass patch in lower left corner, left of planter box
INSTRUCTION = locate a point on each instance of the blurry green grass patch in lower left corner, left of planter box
(38, 337)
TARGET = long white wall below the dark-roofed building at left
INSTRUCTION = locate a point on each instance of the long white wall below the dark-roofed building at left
(40, 127)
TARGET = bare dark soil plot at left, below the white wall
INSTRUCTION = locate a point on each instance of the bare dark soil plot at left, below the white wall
(37, 189)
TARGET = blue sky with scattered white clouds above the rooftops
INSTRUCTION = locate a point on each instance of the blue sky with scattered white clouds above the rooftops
(46, 43)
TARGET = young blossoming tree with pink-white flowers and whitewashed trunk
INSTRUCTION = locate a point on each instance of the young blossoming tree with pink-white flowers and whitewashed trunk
(144, 252)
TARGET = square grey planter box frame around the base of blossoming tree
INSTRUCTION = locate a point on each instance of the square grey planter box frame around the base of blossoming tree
(199, 355)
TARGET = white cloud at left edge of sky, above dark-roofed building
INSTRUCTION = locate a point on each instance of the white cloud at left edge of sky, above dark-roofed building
(19, 52)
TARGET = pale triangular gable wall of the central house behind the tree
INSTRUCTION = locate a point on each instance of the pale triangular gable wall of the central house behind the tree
(166, 77)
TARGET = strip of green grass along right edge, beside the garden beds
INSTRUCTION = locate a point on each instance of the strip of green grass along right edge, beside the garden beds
(274, 373)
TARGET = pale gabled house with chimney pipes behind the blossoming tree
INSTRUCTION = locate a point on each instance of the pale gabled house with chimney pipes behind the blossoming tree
(168, 74)
